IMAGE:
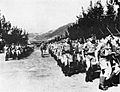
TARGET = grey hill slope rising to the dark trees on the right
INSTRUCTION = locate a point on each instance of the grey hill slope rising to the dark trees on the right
(51, 33)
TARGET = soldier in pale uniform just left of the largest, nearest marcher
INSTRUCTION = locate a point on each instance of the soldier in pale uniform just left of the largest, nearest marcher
(89, 56)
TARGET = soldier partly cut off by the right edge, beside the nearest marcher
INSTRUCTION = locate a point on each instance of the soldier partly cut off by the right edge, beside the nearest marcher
(115, 63)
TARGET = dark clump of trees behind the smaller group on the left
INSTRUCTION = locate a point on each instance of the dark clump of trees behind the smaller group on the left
(12, 34)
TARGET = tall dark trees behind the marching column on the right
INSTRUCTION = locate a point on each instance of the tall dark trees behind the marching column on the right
(97, 21)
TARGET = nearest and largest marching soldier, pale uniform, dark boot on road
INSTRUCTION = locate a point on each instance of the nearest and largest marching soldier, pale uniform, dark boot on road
(103, 56)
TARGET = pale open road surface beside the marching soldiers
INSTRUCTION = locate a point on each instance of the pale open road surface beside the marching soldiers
(37, 74)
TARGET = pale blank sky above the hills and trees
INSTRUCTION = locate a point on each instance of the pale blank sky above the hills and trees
(40, 16)
